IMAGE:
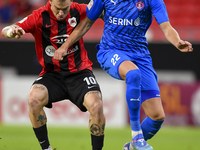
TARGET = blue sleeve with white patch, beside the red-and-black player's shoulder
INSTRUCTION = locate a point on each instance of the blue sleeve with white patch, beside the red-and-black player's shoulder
(94, 9)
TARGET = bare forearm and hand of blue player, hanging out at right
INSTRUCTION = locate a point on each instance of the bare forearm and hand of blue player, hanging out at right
(173, 37)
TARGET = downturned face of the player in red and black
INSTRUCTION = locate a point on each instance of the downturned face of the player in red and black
(60, 8)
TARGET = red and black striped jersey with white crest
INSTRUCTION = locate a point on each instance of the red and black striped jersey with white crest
(50, 34)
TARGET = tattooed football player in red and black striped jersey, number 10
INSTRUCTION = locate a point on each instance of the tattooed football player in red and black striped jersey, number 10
(72, 78)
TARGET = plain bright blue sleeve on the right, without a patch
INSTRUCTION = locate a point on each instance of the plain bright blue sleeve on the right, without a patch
(159, 11)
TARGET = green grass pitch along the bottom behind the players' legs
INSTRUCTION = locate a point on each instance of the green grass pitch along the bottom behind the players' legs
(63, 138)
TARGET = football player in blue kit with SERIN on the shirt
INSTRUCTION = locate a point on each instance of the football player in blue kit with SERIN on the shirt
(124, 55)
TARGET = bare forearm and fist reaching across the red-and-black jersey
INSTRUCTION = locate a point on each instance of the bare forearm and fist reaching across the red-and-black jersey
(78, 32)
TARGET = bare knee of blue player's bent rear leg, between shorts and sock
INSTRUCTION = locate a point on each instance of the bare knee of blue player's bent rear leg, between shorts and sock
(153, 108)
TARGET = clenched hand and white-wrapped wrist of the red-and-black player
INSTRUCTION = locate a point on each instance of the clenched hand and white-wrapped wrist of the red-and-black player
(13, 31)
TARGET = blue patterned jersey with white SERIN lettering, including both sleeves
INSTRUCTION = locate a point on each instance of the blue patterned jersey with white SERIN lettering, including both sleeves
(126, 22)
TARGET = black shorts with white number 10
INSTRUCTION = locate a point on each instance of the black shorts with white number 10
(71, 87)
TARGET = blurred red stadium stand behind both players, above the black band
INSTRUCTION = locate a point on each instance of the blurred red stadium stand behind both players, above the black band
(184, 16)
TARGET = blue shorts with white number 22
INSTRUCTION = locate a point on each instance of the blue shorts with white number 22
(110, 61)
